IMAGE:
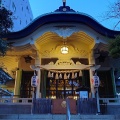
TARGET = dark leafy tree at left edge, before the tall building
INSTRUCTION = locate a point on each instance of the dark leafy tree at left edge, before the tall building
(5, 25)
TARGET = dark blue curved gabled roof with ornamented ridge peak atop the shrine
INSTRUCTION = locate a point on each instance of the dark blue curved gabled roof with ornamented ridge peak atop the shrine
(61, 17)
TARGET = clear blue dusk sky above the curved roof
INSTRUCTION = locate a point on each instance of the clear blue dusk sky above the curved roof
(94, 8)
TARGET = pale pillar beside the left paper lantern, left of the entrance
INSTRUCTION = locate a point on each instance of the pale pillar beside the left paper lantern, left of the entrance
(37, 64)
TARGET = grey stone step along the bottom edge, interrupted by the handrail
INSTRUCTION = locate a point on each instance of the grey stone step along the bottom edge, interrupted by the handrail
(57, 117)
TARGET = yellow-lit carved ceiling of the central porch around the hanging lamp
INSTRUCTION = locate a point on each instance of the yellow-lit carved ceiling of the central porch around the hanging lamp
(79, 45)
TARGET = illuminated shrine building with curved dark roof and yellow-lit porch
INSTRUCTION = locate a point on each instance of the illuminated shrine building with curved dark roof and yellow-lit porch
(61, 74)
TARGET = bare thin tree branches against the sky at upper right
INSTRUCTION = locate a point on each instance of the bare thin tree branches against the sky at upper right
(113, 13)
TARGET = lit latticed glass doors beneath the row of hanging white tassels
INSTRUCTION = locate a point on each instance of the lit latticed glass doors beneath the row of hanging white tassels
(62, 88)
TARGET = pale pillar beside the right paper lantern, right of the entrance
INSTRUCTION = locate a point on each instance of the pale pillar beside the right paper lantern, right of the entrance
(92, 62)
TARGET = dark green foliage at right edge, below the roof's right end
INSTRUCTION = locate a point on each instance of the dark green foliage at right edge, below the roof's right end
(114, 47)
